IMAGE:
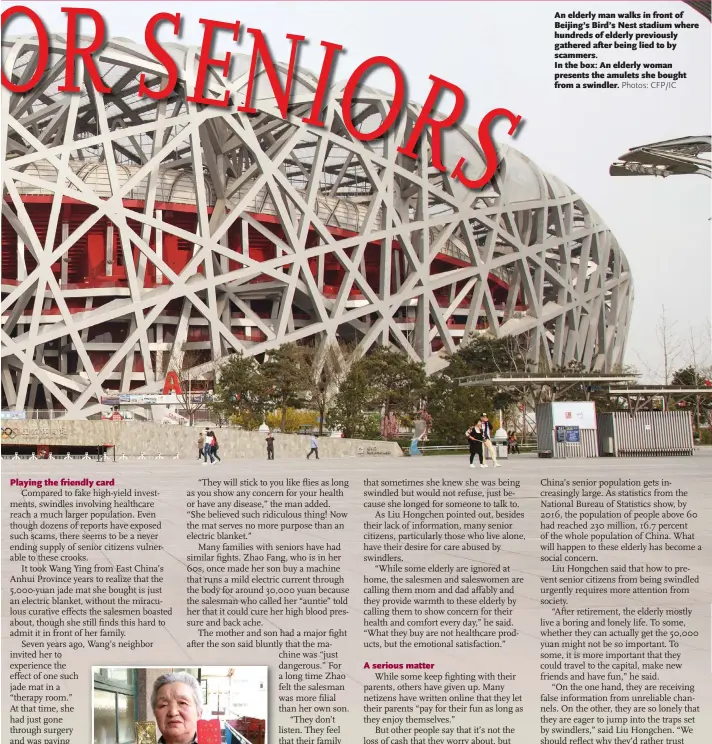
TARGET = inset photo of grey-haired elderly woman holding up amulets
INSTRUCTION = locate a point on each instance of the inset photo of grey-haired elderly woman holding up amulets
(180, 705)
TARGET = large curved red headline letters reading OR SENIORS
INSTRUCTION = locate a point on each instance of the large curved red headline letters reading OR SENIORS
(208, 65)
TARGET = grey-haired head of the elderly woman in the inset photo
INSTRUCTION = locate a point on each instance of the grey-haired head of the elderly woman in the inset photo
(177, 705)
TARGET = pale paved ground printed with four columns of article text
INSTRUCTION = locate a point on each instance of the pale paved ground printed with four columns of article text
(394, 600)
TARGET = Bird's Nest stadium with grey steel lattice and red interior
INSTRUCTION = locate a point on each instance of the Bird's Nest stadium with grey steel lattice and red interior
(135, 231)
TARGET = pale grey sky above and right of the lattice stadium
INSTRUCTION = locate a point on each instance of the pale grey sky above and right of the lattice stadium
(501, 55)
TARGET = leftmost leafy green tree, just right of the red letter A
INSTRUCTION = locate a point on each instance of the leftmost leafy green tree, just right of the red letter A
(241, 391)
